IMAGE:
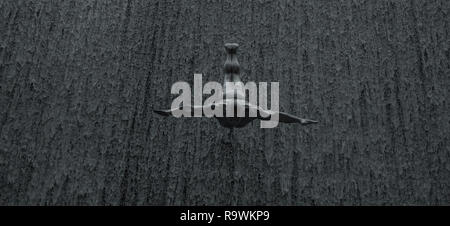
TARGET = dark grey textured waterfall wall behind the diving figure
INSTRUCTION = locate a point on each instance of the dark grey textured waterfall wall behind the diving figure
(79, 80)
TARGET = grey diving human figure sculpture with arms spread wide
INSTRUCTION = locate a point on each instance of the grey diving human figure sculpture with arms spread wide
(237, 99)
